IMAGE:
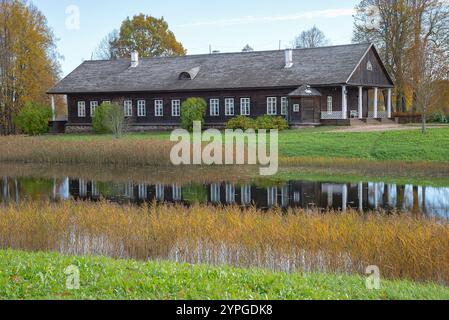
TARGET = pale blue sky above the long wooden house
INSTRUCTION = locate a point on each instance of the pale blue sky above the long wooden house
(80, 25)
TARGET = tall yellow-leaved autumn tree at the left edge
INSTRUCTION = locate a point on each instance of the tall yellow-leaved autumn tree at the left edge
(28, 60)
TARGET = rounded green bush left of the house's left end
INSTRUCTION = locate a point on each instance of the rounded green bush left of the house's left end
(33, 119)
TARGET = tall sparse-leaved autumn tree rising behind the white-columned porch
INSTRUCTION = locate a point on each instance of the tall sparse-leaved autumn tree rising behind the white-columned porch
(402, 31)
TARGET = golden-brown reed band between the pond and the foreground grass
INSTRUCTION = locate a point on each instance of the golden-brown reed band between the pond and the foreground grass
(402, 246)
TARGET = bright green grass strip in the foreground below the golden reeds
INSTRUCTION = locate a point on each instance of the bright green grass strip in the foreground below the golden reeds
(41, 276)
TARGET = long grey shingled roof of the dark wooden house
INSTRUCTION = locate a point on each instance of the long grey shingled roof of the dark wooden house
(315, 66)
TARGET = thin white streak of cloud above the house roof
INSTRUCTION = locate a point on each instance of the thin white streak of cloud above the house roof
(330, 13)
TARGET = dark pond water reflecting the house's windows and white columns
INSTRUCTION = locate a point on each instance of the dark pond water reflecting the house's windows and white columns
(432, 201)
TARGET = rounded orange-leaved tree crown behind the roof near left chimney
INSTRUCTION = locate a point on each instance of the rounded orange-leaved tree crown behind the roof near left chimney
(147, 35)
